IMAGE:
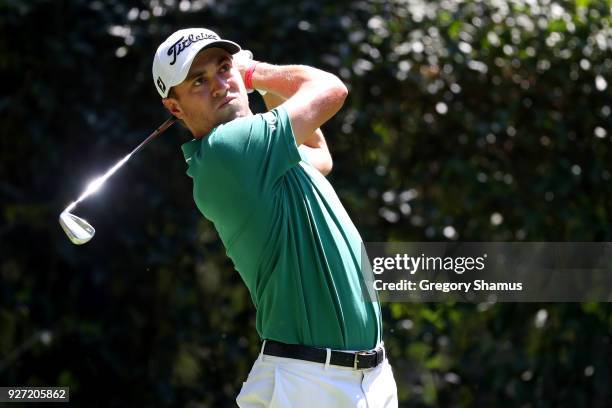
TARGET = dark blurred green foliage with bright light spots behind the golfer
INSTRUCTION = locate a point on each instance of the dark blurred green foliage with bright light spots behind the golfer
(467, 120)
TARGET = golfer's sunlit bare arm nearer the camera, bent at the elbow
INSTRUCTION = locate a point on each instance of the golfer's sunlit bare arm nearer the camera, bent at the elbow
(313, 96)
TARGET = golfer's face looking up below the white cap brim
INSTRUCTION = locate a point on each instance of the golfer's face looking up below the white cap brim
(213, 93)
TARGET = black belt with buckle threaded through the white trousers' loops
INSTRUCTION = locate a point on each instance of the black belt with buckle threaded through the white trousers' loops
(357, 360)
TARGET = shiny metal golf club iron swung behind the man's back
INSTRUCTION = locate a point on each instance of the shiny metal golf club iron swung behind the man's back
(80, 231)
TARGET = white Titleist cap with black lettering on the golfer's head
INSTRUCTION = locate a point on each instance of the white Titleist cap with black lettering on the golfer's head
(175, 55)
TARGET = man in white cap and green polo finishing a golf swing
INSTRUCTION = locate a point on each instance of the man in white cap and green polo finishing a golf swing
(260, 180)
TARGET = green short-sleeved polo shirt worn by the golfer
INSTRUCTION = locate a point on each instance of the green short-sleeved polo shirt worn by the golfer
(286, 232)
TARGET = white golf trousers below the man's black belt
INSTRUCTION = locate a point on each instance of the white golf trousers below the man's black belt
(278, 382)
